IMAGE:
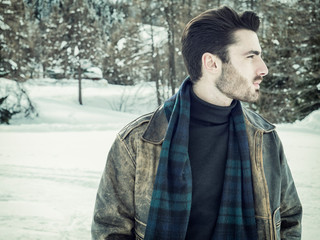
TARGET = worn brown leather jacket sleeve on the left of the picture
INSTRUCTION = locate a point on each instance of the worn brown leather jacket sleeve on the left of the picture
(114, 208)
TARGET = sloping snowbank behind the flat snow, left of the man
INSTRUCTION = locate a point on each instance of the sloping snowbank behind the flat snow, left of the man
(105, 106)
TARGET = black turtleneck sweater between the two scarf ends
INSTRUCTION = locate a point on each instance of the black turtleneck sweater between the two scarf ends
(208, 145)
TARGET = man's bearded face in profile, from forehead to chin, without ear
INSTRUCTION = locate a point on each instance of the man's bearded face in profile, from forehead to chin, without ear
(240, 78)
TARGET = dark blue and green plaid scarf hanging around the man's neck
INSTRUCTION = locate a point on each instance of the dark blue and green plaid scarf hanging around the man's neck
(172, 193)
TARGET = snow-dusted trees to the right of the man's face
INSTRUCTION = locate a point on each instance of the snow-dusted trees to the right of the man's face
(290, 39)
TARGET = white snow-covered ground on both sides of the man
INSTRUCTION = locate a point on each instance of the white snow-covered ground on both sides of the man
(50, 167)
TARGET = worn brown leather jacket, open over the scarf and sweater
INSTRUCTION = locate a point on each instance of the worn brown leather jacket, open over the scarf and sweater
(124, 194)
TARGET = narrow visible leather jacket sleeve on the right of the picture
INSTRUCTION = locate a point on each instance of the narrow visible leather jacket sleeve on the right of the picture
(290, 205)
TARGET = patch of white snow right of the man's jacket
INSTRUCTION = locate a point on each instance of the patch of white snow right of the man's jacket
(302, 150)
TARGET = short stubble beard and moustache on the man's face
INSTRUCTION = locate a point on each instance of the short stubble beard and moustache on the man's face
(234, 86)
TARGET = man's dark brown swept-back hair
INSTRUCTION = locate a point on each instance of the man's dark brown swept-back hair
(212, 32)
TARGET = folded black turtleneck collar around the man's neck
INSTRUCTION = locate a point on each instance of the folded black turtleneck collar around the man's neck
(207, 113)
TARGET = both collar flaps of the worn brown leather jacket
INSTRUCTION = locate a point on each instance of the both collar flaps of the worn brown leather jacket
(158, 124)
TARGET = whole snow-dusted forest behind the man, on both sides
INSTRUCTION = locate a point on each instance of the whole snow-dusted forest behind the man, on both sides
(139, 41)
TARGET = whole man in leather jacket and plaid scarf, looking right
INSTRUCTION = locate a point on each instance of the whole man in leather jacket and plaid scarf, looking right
(202, 166)
